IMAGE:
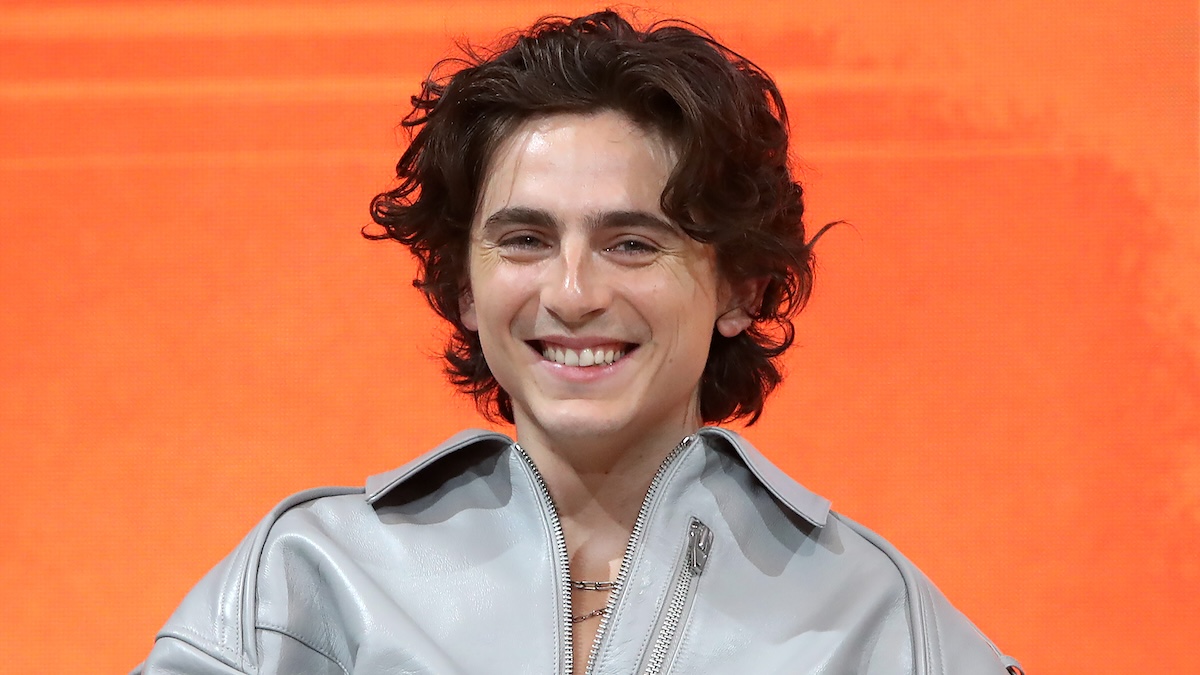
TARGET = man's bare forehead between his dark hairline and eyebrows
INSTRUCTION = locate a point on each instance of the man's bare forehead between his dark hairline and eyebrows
(577, 164)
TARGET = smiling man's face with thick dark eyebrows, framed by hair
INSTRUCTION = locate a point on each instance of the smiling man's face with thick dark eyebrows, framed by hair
(595, 310)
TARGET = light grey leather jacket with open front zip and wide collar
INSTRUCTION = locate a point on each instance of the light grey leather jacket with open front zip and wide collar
(457, 564)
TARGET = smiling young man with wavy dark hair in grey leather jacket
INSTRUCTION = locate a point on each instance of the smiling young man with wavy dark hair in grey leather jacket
(607, 219)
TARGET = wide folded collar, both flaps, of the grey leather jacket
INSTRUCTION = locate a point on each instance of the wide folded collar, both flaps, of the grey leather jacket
(806, 504)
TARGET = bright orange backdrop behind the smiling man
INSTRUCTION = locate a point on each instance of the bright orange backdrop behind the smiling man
(1000, 369)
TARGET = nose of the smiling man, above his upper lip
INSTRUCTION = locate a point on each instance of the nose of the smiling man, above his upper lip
(574, 290)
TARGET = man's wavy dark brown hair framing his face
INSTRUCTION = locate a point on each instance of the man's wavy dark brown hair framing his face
(731, 188)
